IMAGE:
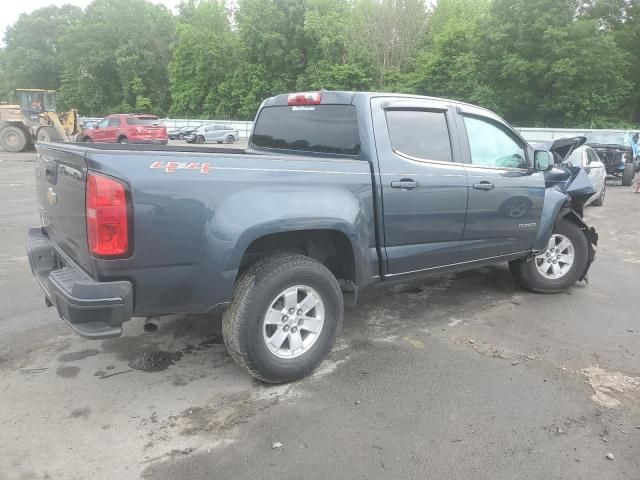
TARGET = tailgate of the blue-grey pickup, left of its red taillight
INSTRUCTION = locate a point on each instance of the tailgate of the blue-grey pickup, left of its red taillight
(60, 187)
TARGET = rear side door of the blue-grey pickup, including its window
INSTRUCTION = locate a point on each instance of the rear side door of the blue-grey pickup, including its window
(424, 185)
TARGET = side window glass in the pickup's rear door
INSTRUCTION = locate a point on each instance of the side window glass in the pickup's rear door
(420, 134)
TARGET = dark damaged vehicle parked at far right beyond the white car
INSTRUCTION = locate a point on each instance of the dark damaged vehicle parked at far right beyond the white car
(615, 151)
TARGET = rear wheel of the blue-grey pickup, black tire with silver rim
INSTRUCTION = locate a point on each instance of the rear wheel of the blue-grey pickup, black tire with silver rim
(247, 331)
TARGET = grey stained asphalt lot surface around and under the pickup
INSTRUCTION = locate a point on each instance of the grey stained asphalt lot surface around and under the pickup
(458, 377)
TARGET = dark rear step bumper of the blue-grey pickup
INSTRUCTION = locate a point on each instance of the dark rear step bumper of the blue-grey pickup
(93, 309)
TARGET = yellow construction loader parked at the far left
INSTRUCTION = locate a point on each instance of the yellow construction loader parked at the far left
(33, 118)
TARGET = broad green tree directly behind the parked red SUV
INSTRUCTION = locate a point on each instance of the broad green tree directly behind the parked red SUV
(115, 58)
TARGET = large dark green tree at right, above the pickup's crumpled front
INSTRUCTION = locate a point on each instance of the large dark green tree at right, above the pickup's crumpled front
(553, 69)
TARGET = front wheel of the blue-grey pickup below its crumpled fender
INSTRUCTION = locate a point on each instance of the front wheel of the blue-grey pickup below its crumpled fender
(527, 273)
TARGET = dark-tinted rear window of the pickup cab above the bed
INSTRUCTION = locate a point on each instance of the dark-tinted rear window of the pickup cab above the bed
(309, 128)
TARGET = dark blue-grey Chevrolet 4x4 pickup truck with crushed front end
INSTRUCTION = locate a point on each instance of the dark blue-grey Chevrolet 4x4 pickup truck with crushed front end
(337, 191)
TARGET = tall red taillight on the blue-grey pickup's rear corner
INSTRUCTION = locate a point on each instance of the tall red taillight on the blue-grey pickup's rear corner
(108, 220)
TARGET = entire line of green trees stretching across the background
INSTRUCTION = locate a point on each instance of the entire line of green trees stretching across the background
(554, 63)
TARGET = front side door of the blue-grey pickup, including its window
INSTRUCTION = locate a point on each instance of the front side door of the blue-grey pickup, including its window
(505, 195)
